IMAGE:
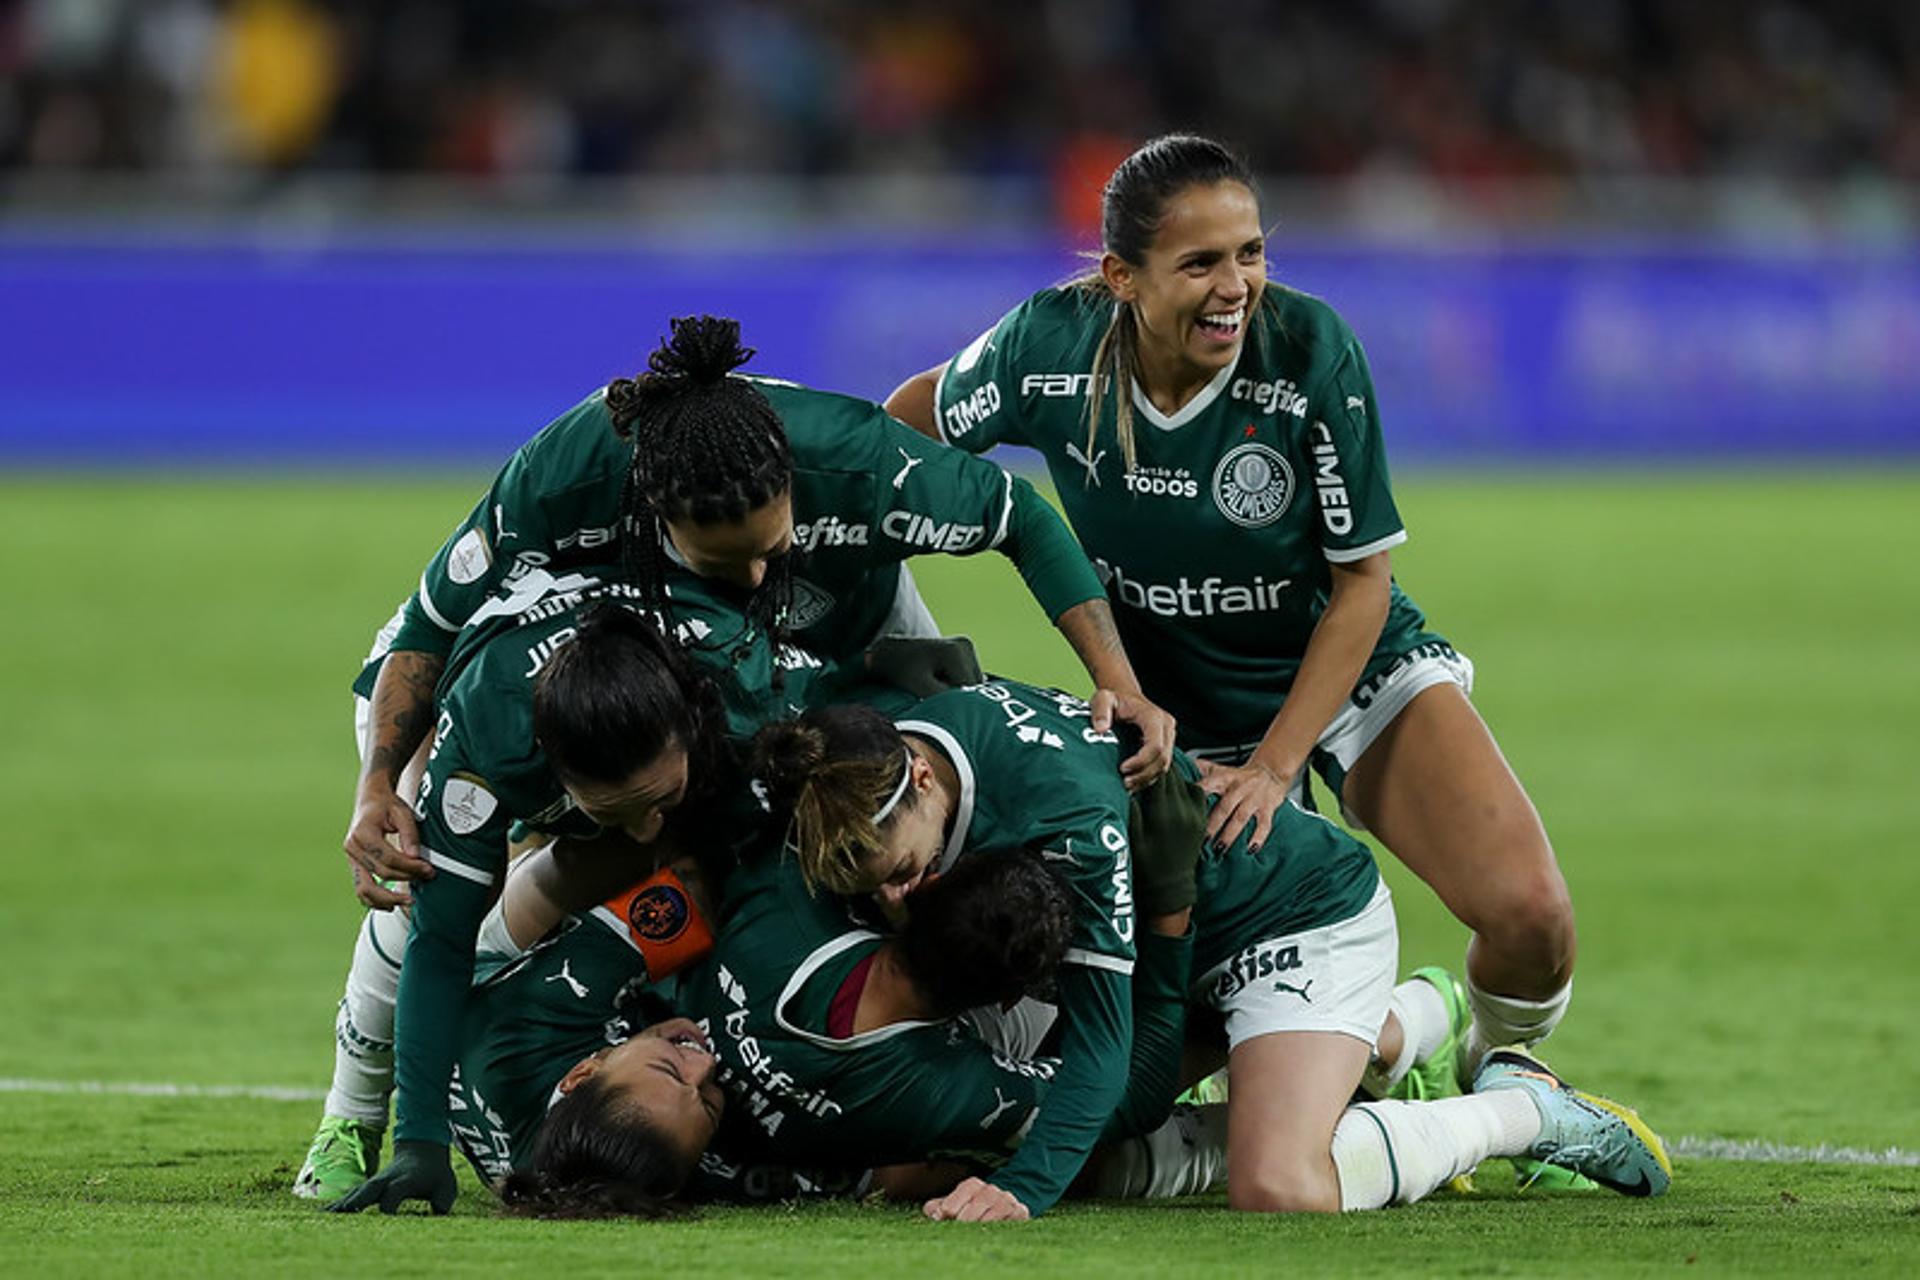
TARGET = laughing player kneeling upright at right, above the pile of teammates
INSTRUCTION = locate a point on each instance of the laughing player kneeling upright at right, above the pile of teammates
(1216, 444)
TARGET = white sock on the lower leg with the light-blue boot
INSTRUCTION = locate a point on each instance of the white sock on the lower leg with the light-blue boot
(1399, 1152)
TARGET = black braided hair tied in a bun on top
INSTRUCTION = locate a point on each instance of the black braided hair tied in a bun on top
(708, 448)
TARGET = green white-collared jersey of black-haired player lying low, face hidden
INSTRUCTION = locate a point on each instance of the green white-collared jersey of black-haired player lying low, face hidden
(903, 1093)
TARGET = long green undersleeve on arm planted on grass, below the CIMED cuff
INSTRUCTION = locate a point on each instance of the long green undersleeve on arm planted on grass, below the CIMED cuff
(1095, 1043)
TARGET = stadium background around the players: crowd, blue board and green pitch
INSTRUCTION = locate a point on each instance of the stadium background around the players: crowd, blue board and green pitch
(281, 283)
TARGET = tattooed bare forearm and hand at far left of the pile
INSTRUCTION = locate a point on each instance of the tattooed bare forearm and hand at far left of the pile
(402, 715)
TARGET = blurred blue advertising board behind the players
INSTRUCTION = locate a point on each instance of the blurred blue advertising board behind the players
(385, 346)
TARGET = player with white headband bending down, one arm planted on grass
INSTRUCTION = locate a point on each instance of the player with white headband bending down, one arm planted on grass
(880, 807)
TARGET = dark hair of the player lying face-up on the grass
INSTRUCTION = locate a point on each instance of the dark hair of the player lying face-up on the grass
(596, 1158)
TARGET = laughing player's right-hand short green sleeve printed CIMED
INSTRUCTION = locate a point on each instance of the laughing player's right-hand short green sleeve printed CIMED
(1356, 502)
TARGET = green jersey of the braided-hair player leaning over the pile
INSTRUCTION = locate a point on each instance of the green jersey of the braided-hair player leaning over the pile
(867, 494)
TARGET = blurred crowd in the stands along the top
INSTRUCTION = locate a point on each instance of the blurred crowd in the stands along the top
(1034, 89)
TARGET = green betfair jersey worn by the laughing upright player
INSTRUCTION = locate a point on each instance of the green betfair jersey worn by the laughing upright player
(1216, 546)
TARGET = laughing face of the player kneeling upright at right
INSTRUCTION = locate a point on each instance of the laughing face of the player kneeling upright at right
(1199, 287)
